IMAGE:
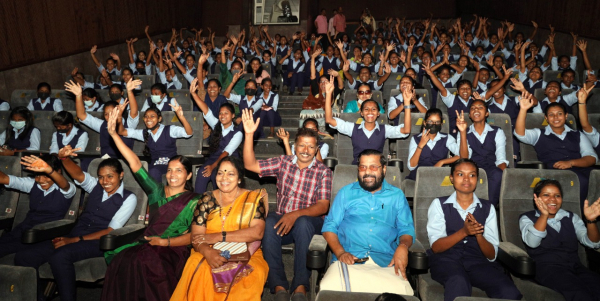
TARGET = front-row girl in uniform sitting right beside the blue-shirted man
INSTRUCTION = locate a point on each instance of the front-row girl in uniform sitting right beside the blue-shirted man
(463, 233)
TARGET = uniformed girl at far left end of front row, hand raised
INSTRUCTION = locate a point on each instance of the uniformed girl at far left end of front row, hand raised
(50, 194)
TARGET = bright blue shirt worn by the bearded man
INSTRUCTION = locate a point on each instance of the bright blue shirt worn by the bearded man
(370, 224)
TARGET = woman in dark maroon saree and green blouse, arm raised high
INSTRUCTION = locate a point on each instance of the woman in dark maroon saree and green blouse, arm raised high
(150, 270)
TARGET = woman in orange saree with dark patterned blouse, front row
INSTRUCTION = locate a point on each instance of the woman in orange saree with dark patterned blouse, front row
(230, 214)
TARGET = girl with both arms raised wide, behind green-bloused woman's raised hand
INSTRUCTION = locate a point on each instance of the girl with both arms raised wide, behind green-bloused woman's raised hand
(129, 120)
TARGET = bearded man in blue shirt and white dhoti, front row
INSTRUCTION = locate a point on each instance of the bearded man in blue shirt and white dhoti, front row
(370, 222)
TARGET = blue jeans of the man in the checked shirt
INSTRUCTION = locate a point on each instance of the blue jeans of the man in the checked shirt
(301, 235)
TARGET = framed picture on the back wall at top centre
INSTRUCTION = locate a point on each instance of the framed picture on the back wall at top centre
(276, 12)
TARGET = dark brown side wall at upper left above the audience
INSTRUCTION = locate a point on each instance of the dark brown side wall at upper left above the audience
(49, 38)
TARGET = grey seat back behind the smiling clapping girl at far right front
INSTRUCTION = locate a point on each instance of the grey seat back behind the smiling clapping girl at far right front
(516, 198)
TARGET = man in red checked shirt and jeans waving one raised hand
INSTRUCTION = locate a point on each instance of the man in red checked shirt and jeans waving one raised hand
(303, 193)
